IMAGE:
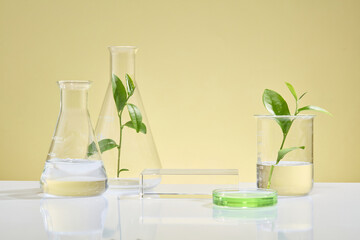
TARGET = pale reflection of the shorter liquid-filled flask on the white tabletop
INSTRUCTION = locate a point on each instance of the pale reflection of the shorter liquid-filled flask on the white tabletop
(75, 218)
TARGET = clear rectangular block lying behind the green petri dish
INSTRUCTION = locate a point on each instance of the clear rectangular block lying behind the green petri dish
(201, 183)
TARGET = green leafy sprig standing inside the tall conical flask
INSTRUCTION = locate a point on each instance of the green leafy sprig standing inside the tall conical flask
(121, 98)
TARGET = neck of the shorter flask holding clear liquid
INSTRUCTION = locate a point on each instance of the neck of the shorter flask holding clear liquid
(74, 95)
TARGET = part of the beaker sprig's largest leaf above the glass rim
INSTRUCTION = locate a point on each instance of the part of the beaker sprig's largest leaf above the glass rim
(275, 103)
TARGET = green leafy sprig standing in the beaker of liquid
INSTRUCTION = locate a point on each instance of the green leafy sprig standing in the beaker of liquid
(276, 105)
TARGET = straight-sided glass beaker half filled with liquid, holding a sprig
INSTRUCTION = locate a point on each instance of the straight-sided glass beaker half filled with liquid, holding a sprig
(293, 174)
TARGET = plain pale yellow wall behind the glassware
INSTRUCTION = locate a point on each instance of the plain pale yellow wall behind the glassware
(201, 70)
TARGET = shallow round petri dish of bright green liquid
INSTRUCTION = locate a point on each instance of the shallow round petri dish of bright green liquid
(244, 198)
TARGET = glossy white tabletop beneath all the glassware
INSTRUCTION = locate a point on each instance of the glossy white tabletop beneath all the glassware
(331, 211)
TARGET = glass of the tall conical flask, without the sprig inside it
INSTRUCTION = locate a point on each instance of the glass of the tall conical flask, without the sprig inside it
(137, 150)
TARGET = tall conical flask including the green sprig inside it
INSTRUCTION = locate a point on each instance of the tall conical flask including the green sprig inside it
(122, 129)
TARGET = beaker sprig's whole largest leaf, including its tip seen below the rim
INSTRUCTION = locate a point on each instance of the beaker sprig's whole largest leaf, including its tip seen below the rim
(276, 105)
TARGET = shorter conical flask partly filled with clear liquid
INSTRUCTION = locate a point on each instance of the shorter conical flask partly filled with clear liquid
(73, 166)
